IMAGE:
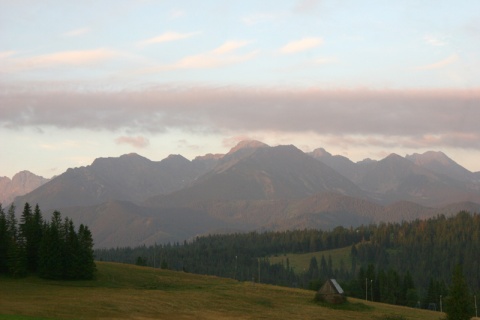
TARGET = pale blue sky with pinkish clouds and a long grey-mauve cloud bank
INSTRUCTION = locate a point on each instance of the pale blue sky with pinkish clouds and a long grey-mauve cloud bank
(86, 79)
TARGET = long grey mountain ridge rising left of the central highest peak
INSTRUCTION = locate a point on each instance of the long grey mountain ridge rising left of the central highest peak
(128, 178)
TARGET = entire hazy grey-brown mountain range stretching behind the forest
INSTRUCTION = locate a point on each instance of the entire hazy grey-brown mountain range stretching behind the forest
(131, 200)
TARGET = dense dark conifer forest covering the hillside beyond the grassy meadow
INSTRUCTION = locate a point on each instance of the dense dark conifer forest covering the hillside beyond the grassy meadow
(409, 263)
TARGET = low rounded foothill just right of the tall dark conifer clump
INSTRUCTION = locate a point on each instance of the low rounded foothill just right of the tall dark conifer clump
(121, 223)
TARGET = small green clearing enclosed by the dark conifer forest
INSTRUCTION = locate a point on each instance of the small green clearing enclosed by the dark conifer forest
(300, 262)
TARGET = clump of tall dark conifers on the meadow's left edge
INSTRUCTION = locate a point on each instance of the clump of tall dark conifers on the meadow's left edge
(53, 250)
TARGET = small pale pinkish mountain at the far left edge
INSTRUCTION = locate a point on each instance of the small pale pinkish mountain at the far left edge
(20, 184)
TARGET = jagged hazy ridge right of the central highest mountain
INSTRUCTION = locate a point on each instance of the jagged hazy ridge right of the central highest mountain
(431, 179)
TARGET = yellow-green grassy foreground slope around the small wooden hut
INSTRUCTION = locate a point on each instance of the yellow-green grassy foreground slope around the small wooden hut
(131, 292)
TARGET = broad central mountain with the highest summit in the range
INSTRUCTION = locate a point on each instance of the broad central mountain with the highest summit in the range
(262, 173)
